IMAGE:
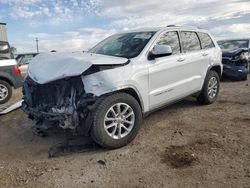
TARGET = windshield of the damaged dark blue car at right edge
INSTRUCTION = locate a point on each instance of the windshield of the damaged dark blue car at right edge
(233, 44)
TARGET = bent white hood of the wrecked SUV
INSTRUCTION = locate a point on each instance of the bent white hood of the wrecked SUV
(48, 67)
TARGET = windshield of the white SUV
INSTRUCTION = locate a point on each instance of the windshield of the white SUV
(127, 45)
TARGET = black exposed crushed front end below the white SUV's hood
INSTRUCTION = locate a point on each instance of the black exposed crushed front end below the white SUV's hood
(63, 102)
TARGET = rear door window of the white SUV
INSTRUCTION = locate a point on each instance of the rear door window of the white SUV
(190, 41)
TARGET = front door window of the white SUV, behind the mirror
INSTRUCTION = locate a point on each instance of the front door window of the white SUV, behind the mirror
(171, 38)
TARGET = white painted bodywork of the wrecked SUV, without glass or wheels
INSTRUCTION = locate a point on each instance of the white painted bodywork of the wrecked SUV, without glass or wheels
(157, 82)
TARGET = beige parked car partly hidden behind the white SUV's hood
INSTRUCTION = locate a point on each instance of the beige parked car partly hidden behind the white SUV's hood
(23, 61)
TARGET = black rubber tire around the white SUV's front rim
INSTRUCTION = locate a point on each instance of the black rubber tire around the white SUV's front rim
(98, 132)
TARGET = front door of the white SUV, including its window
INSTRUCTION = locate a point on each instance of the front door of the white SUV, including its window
(166, 73)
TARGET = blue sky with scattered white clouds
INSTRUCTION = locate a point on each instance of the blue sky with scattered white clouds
(76, 25)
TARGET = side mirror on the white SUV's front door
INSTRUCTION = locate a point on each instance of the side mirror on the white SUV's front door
(160, 51)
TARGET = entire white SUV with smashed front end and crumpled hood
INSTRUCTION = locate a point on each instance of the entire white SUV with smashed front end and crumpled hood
(106, 91)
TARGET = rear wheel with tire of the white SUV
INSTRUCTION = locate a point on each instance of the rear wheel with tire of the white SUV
(208, 96)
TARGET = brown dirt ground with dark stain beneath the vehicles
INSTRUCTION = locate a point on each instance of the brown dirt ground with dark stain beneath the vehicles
(184, 145)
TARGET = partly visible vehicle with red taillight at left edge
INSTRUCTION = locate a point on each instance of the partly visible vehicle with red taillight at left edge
(9, 72)
